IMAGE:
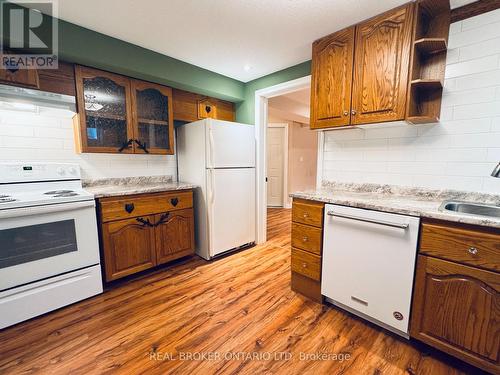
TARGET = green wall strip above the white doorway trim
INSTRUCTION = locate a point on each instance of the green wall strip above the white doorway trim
(245, 110)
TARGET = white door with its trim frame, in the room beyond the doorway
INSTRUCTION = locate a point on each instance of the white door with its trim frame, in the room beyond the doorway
(277, 164)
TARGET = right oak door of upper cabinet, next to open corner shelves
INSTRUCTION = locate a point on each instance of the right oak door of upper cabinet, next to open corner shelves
(382, 50)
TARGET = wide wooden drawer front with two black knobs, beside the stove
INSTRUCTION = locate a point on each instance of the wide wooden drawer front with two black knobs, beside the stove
(145, 204)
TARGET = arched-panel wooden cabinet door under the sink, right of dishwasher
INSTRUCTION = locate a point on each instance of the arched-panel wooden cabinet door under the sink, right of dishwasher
(456, 308)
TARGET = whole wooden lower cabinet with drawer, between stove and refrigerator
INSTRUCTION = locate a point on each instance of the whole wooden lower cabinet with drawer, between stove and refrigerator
(134, 244)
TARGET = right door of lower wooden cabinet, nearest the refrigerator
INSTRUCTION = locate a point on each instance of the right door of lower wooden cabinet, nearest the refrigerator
(175, 235)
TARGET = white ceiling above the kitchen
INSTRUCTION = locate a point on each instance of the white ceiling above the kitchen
(225, 36)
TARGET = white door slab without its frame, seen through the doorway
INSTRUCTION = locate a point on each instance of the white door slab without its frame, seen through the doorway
(275, 166)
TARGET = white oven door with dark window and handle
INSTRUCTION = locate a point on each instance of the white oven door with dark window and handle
(45, 241)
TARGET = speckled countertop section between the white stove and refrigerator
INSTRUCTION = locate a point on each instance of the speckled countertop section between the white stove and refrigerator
(112, 187)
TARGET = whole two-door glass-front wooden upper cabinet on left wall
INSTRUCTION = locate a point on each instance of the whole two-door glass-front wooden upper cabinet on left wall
(117, 114)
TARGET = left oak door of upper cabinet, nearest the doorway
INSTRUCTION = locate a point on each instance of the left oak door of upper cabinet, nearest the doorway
(332, 65)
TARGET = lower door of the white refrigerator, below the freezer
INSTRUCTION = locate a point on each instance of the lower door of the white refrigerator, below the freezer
(231, 202)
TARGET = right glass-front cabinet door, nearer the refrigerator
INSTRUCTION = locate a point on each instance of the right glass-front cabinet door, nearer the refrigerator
(152, 118)
